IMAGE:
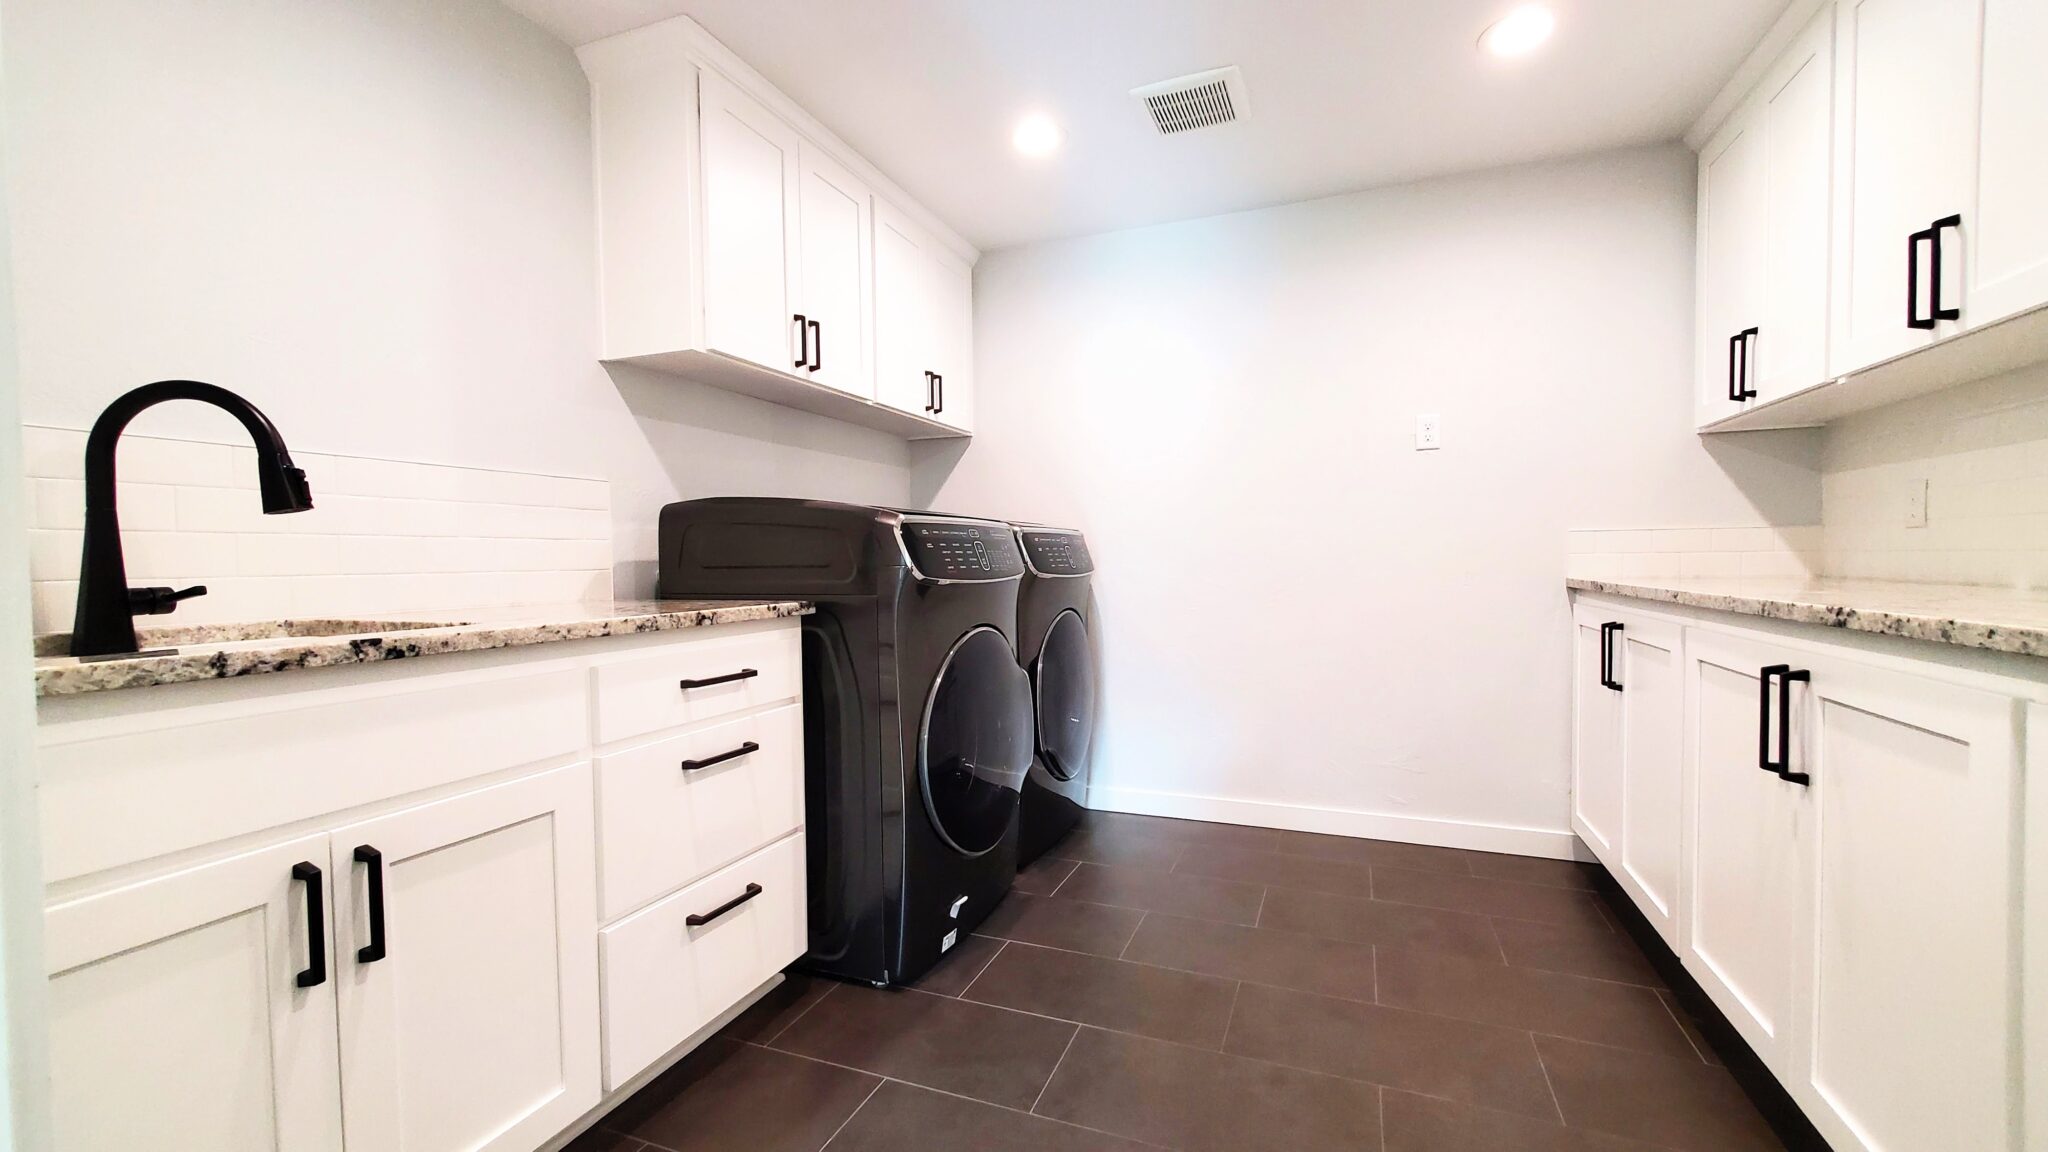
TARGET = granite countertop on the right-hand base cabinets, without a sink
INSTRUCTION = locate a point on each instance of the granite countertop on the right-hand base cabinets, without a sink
(1967, 616)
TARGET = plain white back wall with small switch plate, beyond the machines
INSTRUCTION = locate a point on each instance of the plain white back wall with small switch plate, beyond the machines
(1297, 608)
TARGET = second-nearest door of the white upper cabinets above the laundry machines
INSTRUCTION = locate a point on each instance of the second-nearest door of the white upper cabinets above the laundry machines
(837, 257)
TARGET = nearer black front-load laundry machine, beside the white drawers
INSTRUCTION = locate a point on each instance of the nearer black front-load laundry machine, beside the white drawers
(919, 718)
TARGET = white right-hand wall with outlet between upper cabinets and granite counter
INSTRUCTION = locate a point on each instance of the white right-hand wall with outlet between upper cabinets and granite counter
(1979, 450)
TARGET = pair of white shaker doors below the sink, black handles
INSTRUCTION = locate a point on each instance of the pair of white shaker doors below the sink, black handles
(316, 993)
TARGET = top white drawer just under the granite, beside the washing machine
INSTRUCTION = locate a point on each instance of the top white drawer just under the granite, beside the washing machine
(728, 673)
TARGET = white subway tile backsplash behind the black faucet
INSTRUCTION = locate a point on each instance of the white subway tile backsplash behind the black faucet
(382, 536)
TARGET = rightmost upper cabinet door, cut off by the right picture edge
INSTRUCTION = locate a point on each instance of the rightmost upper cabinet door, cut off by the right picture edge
(2010, 261)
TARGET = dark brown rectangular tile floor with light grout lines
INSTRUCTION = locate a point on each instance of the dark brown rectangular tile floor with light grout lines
(1205, 987)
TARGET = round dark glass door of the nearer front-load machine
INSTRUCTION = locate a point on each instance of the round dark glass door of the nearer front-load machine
(976, 743)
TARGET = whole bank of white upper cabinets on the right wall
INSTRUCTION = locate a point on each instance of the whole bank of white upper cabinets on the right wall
(1869, 212)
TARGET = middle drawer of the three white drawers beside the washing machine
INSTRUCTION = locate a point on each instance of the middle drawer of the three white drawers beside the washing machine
(665, 825)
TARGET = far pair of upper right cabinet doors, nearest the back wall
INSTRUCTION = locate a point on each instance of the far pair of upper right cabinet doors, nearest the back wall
(1764, 235)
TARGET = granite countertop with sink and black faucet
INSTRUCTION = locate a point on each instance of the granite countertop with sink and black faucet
(224, 651)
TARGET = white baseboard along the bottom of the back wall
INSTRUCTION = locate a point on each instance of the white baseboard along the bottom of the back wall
(1345, 823)
